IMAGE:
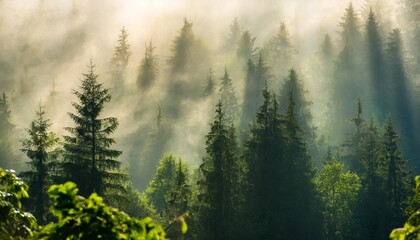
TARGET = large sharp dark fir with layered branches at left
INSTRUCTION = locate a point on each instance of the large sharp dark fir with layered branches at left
(90, 161)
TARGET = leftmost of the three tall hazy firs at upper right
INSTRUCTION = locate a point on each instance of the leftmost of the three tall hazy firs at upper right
(348, 80)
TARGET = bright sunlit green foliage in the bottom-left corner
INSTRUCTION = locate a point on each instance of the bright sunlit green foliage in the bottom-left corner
(14, 222)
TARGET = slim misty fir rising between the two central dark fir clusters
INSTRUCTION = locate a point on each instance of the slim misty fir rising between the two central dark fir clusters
(228, 98)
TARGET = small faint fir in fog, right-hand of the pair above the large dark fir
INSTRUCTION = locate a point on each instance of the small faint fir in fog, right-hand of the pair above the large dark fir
(148, 70)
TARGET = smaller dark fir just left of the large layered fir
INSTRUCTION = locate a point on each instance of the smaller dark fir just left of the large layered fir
(41, 149)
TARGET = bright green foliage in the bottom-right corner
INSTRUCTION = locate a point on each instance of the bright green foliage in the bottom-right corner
(411, 229)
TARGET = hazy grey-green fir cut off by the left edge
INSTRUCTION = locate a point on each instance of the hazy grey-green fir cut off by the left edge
(7, 157)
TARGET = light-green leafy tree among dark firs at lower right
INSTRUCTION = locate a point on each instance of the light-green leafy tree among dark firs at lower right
(339, 192)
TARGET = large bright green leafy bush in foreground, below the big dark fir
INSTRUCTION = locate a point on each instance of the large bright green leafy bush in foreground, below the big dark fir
(91, 218)
